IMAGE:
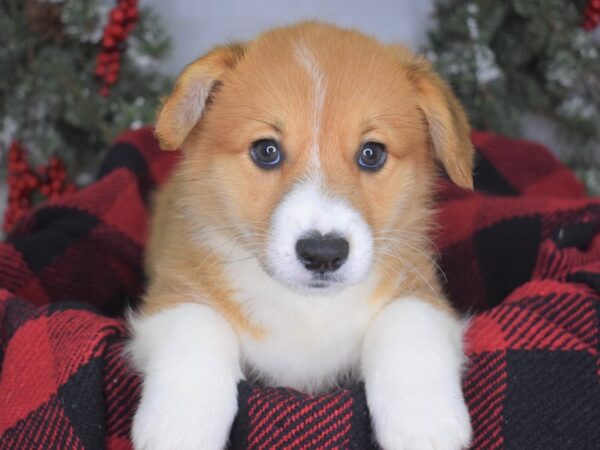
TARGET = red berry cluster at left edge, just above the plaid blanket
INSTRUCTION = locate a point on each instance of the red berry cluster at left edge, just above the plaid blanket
(49, 181)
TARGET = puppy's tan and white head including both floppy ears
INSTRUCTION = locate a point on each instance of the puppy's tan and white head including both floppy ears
(311, 147)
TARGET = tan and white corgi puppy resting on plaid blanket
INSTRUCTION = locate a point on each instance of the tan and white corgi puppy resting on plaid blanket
(291, 245)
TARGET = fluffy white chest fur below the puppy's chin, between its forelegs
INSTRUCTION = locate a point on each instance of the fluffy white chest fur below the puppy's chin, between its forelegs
(309, 341)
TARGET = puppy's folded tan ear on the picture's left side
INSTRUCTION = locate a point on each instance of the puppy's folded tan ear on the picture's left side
(184, 107)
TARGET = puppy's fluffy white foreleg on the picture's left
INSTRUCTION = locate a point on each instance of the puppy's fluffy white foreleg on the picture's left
(188, 356)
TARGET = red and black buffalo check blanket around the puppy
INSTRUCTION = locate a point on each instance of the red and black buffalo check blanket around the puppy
(521, 255)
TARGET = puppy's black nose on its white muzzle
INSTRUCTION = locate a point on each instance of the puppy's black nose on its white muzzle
(321, 253)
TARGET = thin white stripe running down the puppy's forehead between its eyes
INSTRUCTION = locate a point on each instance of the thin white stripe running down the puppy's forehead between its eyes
(308, 61)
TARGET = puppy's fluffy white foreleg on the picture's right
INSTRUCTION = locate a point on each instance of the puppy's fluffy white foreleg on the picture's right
(411, 363)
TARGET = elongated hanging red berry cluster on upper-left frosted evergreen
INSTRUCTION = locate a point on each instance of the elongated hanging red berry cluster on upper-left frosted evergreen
(122, 19)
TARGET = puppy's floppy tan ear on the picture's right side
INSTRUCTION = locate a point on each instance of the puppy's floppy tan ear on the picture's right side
(449, 128)
